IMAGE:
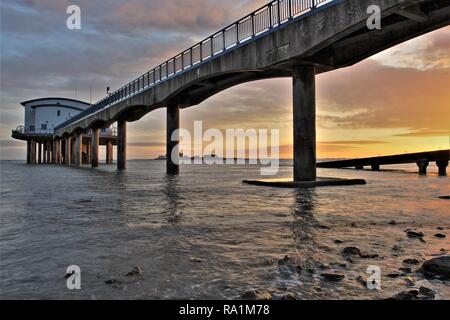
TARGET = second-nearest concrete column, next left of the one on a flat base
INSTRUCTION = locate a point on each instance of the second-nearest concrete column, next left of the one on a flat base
(173, 124)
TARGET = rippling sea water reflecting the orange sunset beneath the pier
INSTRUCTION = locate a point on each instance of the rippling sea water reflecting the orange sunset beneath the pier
(204, 234)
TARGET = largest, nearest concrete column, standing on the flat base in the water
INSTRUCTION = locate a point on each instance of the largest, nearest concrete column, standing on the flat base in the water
(304, 111)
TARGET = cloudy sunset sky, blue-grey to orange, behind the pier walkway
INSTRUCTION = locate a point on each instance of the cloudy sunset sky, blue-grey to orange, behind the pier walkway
(397, 101)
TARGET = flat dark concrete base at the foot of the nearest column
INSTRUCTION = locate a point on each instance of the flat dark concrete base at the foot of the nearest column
(320, 182)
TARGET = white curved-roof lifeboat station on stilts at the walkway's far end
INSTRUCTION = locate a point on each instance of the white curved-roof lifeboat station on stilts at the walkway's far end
(42, 116)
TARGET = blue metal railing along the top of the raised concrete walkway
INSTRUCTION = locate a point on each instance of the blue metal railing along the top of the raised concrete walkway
(272, 15)
